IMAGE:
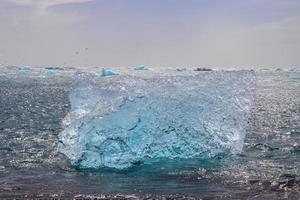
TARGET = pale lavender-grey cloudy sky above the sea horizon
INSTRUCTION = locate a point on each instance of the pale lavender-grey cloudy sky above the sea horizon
(162, 33)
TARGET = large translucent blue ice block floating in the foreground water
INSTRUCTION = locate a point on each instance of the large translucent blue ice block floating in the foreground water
(120, 121)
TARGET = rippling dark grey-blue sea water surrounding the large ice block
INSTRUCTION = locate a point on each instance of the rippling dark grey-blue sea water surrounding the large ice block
(33, 104)
